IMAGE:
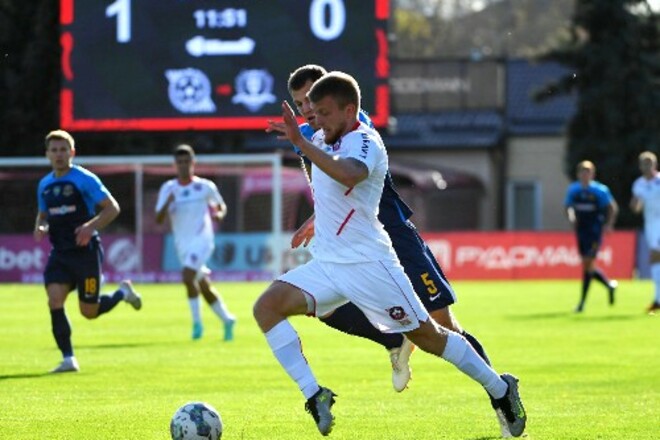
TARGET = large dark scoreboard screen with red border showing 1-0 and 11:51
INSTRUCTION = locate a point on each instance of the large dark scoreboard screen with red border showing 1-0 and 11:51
(210, 64)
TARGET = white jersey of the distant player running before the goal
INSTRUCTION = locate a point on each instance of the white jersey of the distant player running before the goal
(189, 212)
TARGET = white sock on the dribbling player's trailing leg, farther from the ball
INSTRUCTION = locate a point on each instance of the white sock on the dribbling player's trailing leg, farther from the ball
(459, 352)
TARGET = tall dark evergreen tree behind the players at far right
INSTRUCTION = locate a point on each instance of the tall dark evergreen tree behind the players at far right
(614, 67)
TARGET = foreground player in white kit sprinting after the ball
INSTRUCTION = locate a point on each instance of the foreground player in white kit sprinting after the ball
(353, 257)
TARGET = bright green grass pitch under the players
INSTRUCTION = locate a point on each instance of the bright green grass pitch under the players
(589, 376)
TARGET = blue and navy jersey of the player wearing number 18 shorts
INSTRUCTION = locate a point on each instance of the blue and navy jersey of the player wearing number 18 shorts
(69, 201)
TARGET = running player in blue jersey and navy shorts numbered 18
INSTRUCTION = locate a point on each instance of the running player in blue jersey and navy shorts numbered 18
(73, 206)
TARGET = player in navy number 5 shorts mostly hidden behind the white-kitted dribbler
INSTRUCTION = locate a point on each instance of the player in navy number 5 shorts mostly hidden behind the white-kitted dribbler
(429, 281)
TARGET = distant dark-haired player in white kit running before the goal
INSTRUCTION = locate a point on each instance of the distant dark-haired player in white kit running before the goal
(192, 204)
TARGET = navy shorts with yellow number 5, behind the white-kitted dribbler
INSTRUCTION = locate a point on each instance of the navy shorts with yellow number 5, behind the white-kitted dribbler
(428, 280)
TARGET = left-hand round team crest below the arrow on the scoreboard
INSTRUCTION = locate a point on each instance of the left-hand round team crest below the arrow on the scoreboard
(189, 90)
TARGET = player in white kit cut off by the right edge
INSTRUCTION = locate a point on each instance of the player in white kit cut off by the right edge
(646, 198)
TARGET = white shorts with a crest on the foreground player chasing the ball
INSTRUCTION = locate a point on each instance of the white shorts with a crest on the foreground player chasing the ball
(380, 289)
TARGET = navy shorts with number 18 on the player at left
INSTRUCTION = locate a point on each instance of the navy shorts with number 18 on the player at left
(79, 268)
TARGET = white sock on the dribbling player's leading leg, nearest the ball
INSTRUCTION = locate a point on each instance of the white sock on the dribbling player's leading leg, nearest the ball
(284, 343)
